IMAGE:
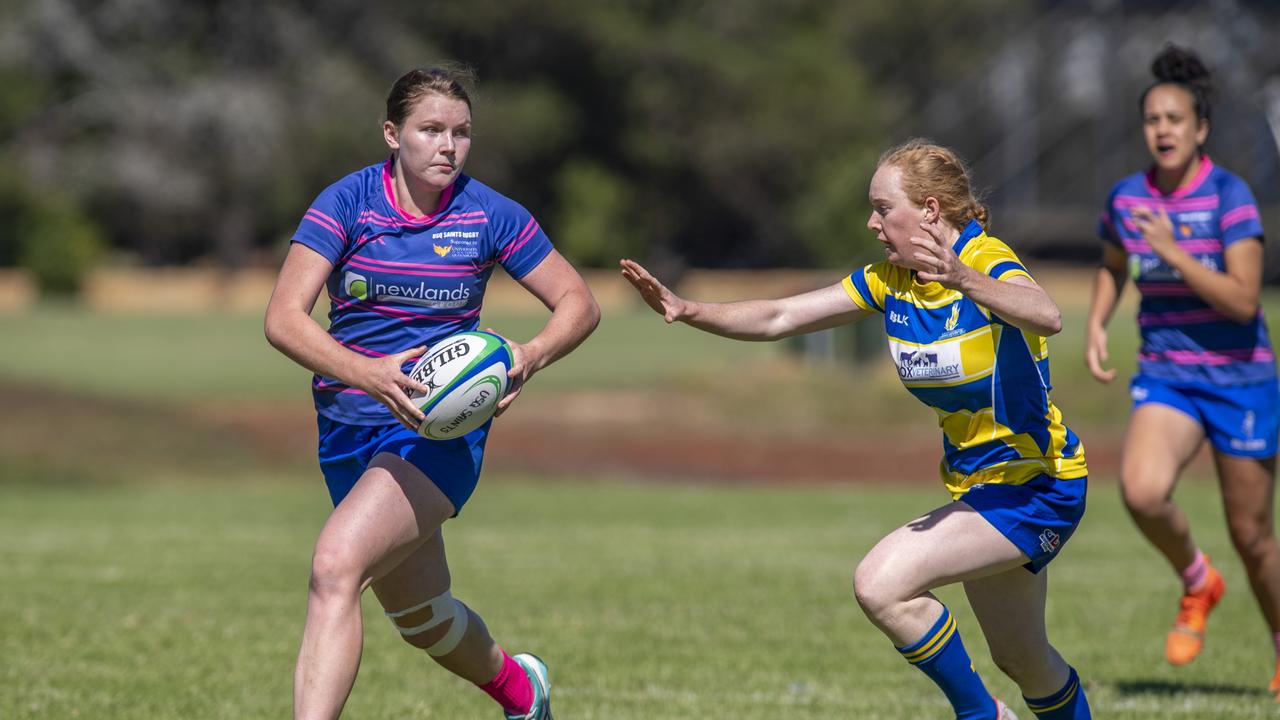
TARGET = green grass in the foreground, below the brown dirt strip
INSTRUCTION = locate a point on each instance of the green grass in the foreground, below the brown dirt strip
(648, 603)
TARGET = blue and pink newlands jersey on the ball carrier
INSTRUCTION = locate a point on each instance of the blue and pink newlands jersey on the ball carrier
(401, 281)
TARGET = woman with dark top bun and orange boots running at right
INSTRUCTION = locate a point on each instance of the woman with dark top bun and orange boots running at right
(1190, 235)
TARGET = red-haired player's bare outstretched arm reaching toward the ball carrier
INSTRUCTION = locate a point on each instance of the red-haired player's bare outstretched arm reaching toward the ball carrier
(748, 320)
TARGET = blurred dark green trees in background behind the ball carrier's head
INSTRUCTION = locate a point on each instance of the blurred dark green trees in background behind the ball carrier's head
(685, 133)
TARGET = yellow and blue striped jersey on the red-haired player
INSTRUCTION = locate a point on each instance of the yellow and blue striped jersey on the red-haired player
(988, 381)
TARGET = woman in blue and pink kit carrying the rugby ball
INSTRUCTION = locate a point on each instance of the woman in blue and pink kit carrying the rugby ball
(404, 250)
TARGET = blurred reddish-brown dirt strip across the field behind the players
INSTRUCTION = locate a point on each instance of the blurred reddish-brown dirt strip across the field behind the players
(647, 436)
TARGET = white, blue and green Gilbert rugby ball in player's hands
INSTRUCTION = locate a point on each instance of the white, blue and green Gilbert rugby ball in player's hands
(467, 376)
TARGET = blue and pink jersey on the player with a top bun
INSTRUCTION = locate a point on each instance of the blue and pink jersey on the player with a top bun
(1183, 338)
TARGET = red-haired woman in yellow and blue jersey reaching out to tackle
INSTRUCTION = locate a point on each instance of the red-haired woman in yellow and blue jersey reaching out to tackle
(967, 329)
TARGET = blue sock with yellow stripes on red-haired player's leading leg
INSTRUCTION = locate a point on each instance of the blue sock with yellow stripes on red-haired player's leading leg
(941, 655)
